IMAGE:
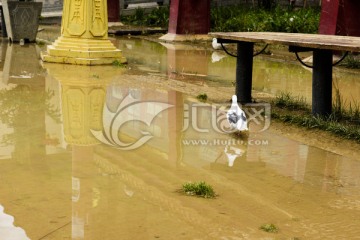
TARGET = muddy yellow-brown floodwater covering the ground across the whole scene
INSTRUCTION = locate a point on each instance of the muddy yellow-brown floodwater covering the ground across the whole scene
(101, 152)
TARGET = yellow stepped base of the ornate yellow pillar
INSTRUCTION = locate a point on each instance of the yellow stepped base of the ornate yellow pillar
(82, 51)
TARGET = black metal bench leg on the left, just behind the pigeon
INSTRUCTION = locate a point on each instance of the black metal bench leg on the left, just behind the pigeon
(244, 65)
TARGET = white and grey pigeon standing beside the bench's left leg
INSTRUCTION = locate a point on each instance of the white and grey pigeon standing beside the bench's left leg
(236, 117)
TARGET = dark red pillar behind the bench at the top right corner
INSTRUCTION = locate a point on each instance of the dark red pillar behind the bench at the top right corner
(340, 17)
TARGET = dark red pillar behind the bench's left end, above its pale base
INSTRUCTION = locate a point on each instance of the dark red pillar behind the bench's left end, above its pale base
(189, 17)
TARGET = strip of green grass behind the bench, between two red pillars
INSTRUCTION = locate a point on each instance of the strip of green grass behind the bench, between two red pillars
(279, 19)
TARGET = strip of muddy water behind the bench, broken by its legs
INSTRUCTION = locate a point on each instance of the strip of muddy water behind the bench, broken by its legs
(218, 69)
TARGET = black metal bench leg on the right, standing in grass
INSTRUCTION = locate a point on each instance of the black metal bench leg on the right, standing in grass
(322, 83)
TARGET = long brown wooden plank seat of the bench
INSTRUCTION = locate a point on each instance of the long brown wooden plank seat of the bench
(314, 41)
